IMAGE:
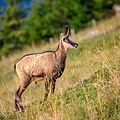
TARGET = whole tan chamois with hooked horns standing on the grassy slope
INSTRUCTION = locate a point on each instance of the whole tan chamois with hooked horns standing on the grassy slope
(48, 65)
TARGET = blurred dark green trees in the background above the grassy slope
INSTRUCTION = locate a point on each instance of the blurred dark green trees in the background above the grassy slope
(24, 22)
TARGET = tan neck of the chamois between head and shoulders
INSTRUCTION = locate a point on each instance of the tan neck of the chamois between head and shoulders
(61, 52)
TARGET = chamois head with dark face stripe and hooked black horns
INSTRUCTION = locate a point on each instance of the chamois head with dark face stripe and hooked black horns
(65, 40)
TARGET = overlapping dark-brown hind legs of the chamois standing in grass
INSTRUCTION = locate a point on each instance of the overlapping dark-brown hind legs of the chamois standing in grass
(24, 82)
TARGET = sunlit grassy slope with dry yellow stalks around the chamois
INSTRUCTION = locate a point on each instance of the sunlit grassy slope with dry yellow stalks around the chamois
(98, 97)
